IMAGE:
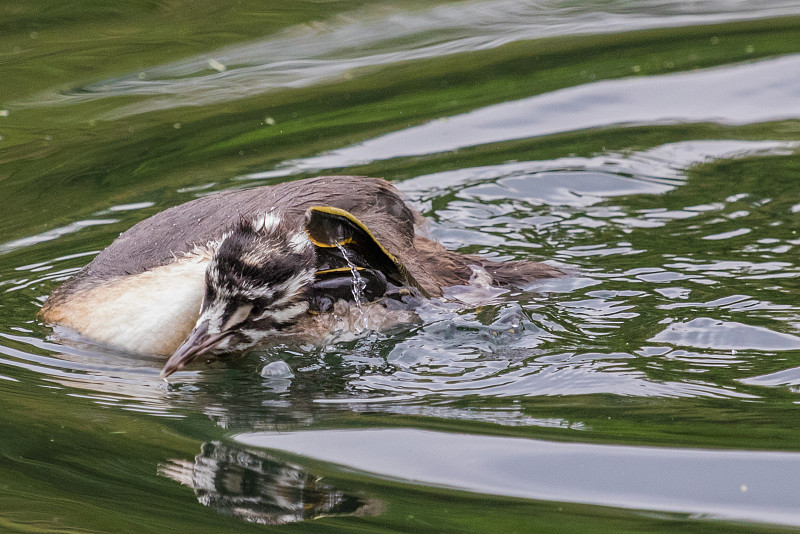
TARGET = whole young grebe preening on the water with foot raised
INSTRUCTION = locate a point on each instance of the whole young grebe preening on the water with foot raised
(228, 270)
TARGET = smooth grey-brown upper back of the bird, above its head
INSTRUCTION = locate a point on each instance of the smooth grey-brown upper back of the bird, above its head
(155, 241)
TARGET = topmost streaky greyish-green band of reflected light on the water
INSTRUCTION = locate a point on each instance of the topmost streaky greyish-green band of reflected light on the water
(310, 54)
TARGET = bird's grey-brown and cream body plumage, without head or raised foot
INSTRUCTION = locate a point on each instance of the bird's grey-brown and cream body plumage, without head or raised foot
(193, 229)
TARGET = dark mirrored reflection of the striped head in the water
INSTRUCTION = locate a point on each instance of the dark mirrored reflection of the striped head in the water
(260, 489)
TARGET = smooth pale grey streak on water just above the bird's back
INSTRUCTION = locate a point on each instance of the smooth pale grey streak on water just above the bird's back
(741, 94)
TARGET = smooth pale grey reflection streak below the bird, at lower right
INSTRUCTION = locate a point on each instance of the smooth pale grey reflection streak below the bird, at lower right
(749, 486)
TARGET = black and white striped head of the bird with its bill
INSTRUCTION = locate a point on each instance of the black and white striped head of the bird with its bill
(256, 285)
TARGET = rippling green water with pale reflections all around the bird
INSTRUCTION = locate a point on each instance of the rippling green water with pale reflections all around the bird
(650, 148)
